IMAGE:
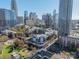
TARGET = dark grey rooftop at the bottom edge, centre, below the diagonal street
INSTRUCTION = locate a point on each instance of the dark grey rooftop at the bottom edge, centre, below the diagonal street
(42, 54)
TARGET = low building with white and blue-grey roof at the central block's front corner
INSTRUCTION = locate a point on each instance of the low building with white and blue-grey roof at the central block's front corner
(37, 40)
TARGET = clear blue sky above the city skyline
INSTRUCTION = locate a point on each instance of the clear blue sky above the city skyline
(39, 6)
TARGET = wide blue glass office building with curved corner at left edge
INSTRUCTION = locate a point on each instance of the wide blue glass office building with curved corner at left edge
(7, 19)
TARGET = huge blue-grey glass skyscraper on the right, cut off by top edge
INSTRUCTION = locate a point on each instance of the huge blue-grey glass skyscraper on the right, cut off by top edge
(65, 15)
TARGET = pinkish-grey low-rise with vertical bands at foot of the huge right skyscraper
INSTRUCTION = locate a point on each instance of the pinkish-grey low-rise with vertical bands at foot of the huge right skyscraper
(69, 41)
